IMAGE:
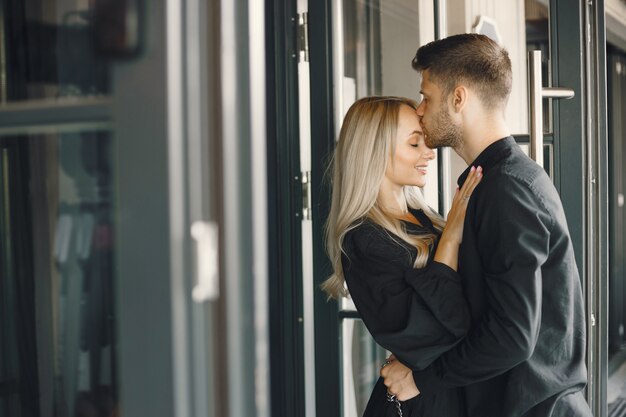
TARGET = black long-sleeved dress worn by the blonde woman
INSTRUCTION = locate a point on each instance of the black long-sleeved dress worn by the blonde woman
(415, 313)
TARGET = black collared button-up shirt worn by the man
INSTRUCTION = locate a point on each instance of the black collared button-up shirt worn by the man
(525, 353)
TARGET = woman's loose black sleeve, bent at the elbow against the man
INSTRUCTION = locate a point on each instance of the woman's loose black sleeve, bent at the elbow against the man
(415, 313)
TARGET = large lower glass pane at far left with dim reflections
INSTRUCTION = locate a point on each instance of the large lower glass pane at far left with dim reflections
(57, 338)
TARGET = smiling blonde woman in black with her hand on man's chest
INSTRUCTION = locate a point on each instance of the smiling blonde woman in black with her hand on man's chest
(395, 255)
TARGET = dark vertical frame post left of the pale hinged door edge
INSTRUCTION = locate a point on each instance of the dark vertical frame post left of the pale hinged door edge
(284, 206)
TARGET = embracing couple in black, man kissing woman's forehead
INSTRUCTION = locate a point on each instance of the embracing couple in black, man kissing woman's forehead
(483, 312)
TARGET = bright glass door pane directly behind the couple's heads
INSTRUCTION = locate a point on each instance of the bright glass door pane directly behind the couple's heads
(378, 39)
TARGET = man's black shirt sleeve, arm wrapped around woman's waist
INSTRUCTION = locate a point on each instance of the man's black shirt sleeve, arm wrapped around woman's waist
(513, 232)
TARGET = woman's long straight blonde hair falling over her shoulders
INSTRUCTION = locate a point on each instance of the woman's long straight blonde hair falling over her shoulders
(366, 144)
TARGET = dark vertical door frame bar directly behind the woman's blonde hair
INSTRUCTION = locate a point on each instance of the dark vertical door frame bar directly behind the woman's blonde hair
(327, 343)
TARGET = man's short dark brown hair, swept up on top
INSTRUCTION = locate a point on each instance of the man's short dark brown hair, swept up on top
(471, 58)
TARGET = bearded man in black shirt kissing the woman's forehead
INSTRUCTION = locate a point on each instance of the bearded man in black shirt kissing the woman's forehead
(525, 353)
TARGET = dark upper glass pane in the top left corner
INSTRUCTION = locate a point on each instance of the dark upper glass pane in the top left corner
(47, 51)
